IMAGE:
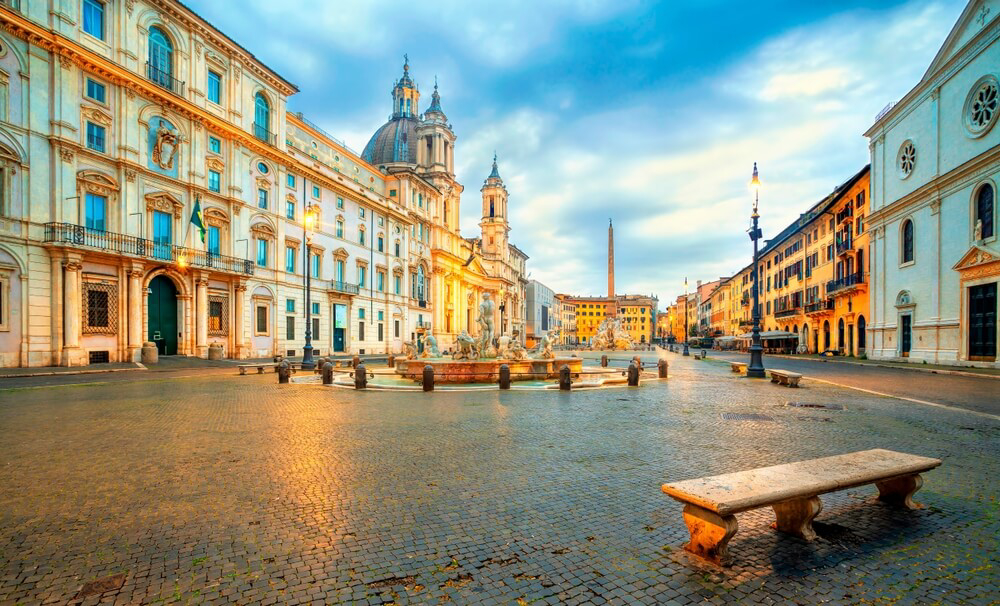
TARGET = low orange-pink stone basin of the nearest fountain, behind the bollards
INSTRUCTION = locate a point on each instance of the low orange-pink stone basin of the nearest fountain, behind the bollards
(486, 370)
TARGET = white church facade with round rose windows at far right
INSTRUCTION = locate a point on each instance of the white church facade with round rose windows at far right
(935, 160)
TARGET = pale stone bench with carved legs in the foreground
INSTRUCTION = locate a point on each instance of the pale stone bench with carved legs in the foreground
(793, 491)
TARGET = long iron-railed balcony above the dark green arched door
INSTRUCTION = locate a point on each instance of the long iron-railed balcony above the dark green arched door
(105, 241)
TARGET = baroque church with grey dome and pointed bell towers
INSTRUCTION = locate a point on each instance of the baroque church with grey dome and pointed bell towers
(419, 149)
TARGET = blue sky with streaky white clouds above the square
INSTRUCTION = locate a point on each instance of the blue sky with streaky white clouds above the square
(650, 113)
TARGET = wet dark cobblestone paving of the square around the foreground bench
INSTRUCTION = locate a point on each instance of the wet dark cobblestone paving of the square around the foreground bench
(227, 489)
